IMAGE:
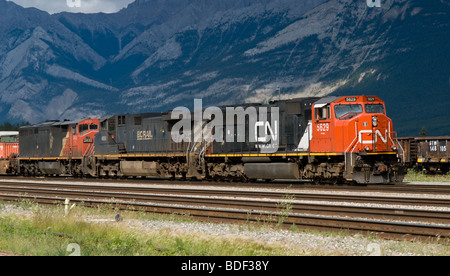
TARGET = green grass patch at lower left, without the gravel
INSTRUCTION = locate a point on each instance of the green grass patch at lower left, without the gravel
(49, 233)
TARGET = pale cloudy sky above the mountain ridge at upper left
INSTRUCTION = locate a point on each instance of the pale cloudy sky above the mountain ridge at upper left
(84, 6)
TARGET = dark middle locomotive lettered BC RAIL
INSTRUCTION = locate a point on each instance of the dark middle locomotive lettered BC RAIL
(136, 145)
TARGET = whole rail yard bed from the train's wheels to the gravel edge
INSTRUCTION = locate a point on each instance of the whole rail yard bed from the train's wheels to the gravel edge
(400, 212)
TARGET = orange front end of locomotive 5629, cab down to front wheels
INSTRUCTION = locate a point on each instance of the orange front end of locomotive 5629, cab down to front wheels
(356, 133)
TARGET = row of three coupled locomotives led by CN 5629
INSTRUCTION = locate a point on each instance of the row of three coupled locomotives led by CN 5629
(330, 139)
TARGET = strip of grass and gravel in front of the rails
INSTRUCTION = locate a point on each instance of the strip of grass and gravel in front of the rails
(30, 229)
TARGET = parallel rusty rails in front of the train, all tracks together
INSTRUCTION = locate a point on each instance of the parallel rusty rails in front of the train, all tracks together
(303, 209)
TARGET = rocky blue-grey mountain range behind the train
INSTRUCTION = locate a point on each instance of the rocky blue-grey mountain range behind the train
(155, 55)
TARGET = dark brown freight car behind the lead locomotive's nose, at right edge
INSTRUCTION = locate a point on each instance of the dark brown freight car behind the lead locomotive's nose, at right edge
(428, 154)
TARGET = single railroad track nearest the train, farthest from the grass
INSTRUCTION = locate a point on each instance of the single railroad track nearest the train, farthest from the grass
(314, 195)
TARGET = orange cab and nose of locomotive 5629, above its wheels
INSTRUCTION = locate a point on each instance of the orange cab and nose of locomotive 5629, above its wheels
(353, 124)
